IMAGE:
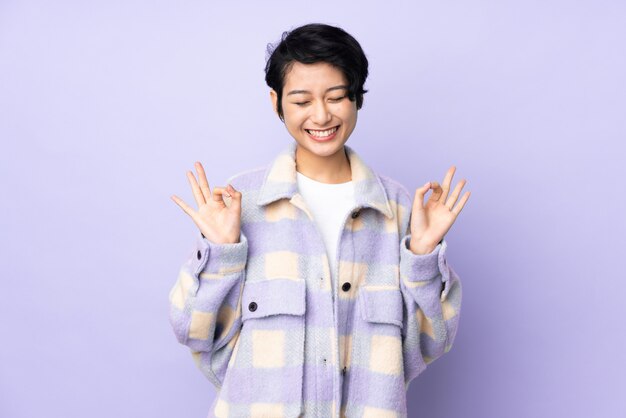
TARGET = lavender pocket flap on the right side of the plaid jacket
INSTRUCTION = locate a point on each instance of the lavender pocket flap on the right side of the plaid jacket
(381, 305)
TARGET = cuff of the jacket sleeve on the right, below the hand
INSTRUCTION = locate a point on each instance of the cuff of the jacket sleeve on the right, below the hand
(423, 267)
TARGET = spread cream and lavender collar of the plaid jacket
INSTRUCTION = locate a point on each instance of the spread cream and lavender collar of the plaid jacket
(280, 181)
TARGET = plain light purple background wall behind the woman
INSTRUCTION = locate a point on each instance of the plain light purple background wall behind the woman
(104, 106)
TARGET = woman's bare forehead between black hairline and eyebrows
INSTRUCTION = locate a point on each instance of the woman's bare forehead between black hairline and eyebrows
(320, 75)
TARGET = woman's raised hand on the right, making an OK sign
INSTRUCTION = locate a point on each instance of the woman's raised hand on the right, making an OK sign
(430, 222)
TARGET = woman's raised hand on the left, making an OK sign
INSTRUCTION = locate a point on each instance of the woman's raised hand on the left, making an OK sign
(218, 222)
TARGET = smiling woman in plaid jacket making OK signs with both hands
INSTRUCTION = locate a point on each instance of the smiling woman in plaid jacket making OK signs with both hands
(317, 287)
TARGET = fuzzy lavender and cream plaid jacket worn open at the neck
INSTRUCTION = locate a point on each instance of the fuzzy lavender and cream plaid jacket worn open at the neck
(267, 328)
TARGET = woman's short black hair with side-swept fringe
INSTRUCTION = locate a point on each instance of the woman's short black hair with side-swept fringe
(317, 42)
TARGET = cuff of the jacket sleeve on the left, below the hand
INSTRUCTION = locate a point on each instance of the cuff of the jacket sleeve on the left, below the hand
(219, 259)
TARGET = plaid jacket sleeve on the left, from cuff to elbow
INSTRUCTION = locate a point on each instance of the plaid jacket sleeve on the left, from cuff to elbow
(205, 303)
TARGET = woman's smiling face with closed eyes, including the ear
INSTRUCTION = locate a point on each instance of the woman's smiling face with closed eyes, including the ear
(316, 108)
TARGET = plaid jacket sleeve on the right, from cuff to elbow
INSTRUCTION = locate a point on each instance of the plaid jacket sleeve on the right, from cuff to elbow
(432, 302)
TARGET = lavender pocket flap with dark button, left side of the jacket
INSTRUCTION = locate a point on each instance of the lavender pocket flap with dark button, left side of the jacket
(273, 297)
